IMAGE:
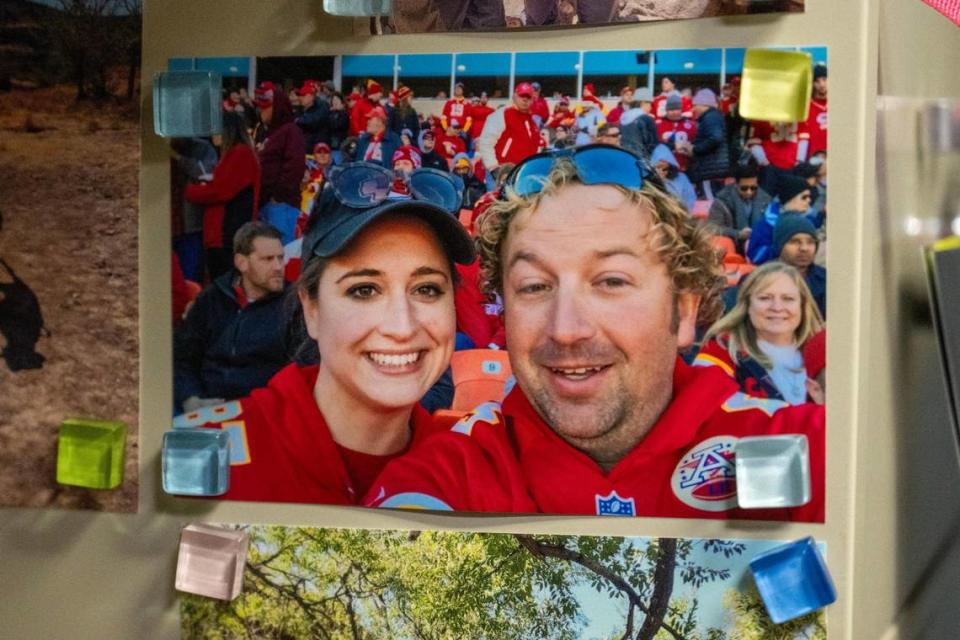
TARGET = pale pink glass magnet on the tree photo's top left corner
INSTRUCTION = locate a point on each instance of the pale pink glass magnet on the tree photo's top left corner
(211, 561)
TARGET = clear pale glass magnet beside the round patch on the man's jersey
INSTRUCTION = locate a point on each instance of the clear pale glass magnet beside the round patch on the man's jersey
(773, 471)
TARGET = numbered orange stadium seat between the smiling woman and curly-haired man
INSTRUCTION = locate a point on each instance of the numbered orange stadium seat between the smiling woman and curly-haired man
(479, 375)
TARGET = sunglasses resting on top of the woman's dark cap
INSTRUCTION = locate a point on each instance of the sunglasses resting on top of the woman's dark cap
(363, 185)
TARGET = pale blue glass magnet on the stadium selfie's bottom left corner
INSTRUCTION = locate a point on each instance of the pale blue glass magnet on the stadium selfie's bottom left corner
(196, 462)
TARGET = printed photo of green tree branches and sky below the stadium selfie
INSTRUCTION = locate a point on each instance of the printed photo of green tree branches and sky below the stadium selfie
(339, 583)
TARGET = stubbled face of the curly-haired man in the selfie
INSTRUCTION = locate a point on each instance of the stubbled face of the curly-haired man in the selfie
(591, 318)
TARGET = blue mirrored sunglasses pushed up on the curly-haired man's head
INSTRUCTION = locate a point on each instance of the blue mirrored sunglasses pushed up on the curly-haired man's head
(595, 163)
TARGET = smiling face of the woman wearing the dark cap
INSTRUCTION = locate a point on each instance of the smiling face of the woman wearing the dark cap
(384, 319)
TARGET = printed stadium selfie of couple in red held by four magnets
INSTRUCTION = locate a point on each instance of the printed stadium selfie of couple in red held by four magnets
(548, 282)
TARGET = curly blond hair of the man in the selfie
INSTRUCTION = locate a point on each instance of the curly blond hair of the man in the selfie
(683, 246)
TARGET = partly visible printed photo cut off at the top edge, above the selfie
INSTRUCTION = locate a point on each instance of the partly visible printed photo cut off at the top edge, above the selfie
(431, 16)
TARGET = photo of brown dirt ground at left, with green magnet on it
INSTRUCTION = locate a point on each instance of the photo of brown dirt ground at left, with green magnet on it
(69, 325)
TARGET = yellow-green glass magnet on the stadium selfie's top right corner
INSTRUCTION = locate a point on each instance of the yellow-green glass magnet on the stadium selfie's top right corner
(776, 85)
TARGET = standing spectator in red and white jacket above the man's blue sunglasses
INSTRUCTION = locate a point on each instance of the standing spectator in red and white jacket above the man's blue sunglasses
(510, 134)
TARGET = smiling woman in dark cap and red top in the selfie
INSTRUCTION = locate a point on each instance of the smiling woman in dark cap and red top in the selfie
(376, 292)
